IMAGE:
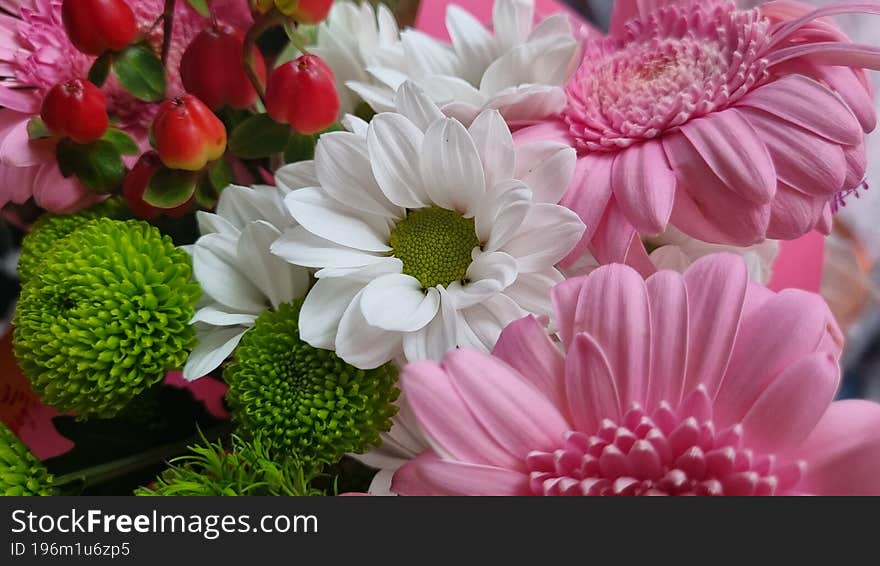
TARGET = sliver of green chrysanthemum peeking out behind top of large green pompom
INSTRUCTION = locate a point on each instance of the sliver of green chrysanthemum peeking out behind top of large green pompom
(51, 229)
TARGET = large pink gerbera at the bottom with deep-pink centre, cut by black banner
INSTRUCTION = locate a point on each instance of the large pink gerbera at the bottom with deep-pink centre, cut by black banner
(699, 383)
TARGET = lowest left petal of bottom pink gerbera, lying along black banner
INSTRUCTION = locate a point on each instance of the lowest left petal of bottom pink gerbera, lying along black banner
(429, 475)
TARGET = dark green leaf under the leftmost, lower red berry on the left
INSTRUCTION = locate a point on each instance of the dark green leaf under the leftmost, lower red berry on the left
(97, 165)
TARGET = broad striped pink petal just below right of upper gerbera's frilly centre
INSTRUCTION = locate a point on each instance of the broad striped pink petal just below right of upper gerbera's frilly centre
(733, 150)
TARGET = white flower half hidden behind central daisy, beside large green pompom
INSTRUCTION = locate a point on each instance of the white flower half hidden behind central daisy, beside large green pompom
(239, 276)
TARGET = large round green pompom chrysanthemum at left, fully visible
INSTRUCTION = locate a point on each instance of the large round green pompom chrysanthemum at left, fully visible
(105, 317)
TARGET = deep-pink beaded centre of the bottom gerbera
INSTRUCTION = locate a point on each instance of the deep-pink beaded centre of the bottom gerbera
(659, 454)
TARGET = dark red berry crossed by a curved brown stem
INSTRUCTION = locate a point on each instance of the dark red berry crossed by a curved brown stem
(212, 68)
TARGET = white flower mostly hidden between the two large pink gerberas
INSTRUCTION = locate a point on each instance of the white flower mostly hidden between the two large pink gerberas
(676, 251)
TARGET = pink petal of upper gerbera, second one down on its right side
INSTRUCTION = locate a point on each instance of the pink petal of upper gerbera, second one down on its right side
(803, 160)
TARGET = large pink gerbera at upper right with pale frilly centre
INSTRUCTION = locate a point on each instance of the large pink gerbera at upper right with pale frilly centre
(735, 125)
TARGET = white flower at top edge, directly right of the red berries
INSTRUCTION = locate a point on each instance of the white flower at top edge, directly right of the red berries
(354, 37)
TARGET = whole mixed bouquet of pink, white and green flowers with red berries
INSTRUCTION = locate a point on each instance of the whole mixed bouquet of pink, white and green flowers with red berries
(511, 256)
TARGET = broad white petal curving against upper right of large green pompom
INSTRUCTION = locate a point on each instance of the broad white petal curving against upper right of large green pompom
(215, 268)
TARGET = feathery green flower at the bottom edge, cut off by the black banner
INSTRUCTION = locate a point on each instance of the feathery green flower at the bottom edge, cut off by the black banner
(247, 469)
